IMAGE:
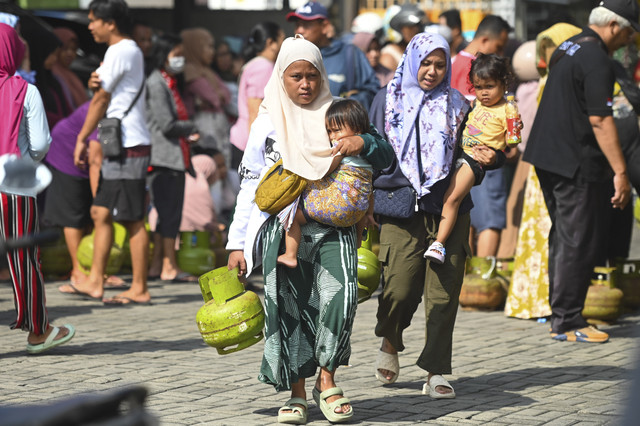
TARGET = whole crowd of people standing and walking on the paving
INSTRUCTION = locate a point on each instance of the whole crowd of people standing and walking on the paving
(201, 125)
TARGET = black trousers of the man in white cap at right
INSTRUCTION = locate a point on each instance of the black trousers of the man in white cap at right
(579, 212)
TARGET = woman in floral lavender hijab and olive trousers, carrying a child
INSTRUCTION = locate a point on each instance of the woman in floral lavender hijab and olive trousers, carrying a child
(421, 115)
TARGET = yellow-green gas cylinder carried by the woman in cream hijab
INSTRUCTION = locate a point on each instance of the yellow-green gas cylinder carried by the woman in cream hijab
(232, 318)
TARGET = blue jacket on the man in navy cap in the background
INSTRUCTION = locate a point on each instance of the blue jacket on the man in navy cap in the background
(348, 69)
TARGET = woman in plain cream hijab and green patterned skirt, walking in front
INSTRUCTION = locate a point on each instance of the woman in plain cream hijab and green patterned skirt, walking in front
(310, 309)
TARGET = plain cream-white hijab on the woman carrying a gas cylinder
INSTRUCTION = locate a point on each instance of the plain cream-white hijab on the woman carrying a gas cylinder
(302, 136)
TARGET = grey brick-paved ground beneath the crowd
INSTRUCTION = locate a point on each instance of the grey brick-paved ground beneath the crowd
(507, 371)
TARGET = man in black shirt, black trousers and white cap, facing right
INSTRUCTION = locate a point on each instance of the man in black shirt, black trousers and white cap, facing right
(575, 149)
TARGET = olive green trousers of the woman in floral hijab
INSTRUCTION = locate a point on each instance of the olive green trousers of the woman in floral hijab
(407, 276)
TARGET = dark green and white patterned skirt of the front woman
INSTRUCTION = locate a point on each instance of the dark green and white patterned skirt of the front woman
(309, 309)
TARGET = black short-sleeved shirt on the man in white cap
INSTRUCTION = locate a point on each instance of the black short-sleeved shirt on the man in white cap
(580, 85)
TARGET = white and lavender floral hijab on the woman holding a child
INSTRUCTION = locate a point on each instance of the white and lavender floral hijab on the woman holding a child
(434, 115)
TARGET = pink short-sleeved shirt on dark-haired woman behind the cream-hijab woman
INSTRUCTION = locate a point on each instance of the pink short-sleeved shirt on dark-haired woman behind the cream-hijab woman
(254, 77)
